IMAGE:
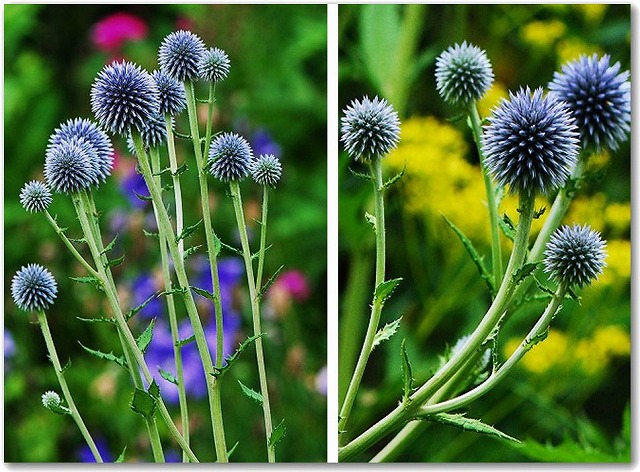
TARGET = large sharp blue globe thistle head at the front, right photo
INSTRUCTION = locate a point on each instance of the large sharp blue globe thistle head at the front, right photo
(531, 143)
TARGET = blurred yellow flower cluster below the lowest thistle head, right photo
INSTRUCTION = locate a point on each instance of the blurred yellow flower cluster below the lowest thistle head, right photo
(559, 351)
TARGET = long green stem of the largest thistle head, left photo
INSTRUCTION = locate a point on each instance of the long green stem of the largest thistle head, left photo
(164, 224)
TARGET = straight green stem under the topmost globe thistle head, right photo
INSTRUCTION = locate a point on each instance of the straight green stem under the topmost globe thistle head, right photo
(496, 252)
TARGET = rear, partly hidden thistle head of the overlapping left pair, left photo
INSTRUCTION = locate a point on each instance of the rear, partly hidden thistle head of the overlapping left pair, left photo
(102, 159)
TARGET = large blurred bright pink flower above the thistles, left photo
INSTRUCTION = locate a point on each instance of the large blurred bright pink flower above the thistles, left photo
(110, 33)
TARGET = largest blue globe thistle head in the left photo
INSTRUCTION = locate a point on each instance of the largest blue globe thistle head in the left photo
(123, 97)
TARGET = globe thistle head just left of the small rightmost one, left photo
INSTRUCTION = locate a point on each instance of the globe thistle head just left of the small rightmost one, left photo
(230, 157)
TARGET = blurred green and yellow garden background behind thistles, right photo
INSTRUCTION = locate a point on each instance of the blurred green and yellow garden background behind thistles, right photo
(568, 397)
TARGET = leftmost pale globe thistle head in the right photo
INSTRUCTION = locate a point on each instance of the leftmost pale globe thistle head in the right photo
(370, 128)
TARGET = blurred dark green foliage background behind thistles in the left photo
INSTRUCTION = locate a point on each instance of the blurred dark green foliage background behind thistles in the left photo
(277, 85)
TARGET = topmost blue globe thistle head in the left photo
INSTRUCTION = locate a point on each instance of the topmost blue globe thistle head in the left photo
(179, 55)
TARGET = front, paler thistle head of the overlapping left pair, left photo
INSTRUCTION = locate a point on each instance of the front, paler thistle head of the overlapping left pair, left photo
(67, 166)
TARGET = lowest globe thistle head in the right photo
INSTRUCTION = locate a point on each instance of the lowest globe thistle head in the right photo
(575, 255)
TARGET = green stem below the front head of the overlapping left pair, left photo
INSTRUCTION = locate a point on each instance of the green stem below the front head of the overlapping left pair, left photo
(128, 341)
